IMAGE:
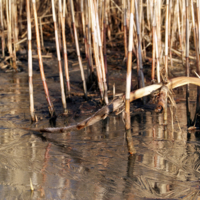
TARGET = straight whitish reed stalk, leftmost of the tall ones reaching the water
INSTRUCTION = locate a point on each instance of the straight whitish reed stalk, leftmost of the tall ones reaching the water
(30, 67)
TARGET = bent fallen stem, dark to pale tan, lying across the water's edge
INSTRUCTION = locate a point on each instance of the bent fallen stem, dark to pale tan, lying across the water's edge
(118, 104)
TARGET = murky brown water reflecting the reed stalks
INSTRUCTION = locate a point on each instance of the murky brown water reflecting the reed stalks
(92, 163)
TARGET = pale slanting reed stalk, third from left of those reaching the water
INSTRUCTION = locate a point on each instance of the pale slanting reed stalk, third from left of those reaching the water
(59, 57)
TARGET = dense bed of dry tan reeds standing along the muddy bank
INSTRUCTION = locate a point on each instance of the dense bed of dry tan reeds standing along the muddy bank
(155, 31)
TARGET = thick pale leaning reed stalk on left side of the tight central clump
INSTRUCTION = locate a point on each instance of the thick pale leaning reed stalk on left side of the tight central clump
(95, 48)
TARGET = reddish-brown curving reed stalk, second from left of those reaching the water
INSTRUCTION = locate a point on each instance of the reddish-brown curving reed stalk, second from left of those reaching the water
(50, 104)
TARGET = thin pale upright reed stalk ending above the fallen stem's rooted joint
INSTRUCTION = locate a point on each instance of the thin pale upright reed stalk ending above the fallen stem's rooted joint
(166, 37)
